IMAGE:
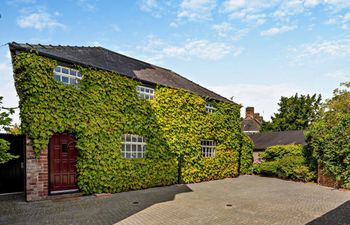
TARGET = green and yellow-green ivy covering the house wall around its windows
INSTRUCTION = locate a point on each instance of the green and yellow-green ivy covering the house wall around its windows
(105, 105)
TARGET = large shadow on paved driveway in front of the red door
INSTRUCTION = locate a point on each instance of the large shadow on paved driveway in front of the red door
(85, 210)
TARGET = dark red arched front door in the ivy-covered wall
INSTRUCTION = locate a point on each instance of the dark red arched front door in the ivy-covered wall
(63, 158)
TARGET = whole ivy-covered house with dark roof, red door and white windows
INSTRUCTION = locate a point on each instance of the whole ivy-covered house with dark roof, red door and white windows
(97, 121)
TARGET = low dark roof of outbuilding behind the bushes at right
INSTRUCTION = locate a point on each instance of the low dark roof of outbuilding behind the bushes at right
(264, 140)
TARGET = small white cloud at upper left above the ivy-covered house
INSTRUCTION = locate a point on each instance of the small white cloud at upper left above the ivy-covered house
(39, 20)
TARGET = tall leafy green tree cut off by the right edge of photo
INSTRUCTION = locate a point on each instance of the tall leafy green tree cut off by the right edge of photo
(328, 137)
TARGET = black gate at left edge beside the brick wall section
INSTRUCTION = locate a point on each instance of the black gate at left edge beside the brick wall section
(12, 172)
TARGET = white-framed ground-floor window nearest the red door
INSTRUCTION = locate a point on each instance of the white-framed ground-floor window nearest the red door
(133, 146)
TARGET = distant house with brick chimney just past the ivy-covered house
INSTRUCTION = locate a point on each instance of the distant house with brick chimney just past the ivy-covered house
(252, 122)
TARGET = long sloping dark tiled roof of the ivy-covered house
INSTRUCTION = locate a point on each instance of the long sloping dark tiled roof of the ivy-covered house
(108, 60)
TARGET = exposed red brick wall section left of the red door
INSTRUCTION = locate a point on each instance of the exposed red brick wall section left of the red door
(37, 174)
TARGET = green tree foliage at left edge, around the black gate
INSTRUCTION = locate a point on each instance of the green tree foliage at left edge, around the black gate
(5, 124)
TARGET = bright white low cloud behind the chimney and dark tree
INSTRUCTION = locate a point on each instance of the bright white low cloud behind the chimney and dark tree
(264, 97)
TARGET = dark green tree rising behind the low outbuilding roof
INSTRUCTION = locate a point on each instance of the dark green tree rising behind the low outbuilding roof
(294, 113)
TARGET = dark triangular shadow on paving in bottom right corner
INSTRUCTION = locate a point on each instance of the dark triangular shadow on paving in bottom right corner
(337, 216)
